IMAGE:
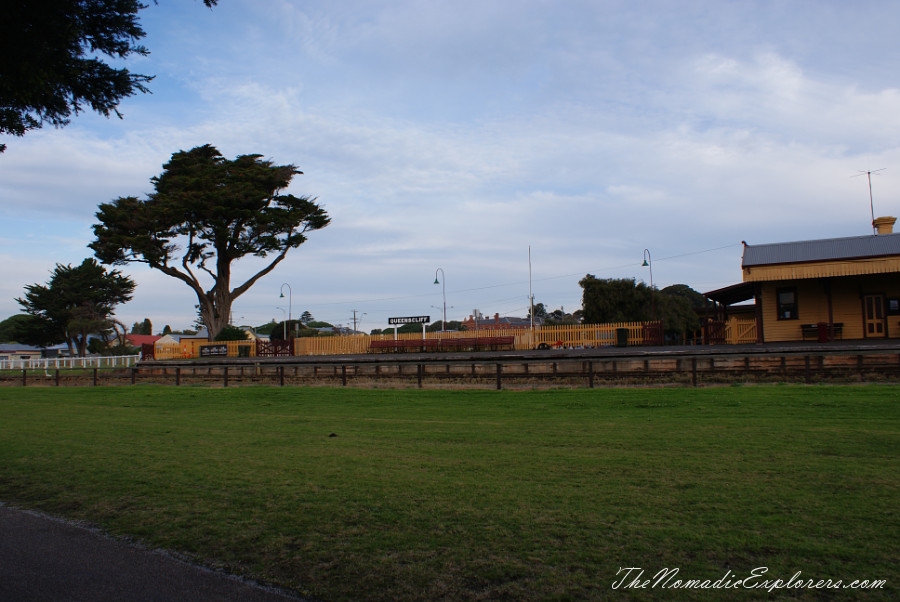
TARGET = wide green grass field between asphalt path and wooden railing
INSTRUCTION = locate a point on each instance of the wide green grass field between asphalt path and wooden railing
(479, 495)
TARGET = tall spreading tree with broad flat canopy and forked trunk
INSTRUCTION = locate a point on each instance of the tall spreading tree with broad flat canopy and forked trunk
(206, 213)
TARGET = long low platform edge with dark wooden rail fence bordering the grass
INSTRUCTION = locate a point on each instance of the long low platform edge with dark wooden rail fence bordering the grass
(552, 369)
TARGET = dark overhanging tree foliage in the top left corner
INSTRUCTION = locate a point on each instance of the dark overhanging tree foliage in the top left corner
(52, 60)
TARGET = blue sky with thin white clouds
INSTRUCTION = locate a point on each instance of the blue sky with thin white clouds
(458, 140)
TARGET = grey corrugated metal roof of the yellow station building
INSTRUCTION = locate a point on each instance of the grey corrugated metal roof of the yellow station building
(826, 249)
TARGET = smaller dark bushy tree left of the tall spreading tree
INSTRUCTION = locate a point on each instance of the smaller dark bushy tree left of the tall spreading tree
(76, 302)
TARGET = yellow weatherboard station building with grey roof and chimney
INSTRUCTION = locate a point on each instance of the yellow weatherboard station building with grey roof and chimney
(822, 289)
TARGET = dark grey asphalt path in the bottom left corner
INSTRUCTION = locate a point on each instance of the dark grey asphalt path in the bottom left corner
(47, 560)
